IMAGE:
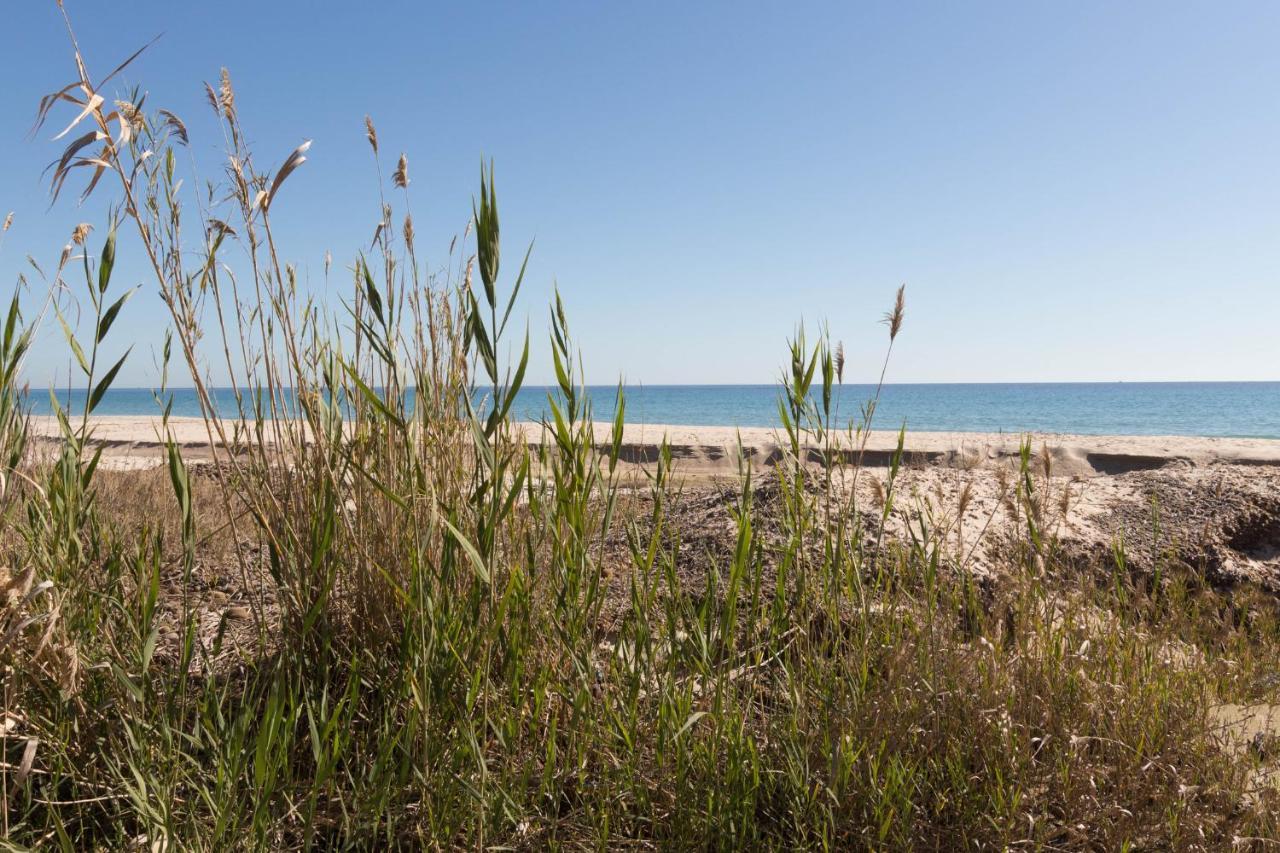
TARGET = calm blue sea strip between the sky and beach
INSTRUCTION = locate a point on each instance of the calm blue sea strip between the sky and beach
(1237, 409)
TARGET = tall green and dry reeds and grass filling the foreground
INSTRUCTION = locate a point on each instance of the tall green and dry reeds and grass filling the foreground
(440, 635)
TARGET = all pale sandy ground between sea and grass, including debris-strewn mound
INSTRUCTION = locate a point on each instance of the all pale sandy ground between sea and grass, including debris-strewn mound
(1213, 504)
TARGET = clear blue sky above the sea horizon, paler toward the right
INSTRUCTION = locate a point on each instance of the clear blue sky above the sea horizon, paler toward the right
(1071, 191)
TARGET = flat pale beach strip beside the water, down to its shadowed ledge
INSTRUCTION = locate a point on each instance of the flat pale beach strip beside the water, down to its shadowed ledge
(711, 449)
